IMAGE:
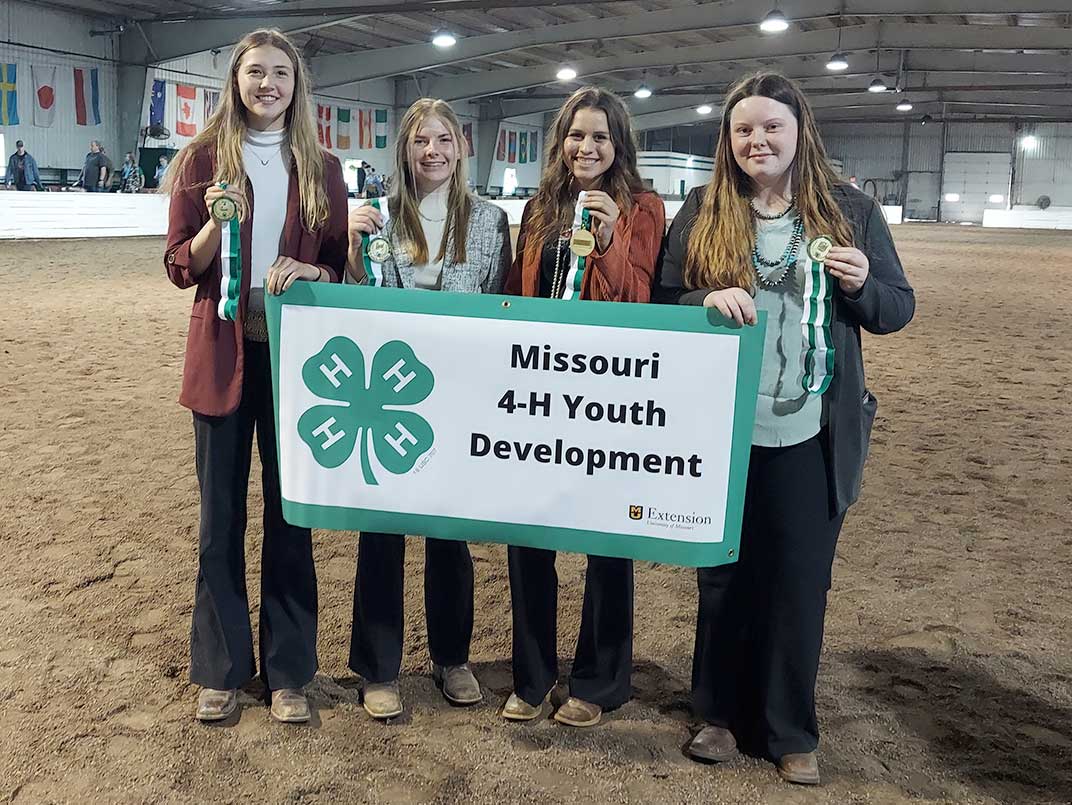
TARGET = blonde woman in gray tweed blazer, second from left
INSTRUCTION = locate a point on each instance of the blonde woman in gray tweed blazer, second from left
(433, 234)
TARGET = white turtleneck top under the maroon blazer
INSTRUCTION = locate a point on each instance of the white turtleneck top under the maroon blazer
(266, 165)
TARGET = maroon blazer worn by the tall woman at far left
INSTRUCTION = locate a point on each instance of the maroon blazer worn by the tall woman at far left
(213, 376)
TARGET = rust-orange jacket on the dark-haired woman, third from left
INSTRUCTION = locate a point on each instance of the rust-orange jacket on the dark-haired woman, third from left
(623, 274)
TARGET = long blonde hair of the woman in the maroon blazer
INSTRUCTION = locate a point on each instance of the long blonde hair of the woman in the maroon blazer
(226, 132)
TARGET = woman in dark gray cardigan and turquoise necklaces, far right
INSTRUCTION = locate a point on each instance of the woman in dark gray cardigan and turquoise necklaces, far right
(776, 231)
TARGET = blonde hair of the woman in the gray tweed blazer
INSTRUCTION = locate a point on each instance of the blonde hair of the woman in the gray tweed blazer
(405, 201)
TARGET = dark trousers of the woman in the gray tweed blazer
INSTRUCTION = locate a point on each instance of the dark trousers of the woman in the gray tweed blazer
(376, 643)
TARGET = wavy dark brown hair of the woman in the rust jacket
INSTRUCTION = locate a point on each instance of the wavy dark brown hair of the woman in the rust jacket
(553, 207)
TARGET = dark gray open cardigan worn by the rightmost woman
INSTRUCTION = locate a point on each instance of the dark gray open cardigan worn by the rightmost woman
(884, 305)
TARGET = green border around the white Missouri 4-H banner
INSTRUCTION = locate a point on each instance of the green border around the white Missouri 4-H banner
(682, 319)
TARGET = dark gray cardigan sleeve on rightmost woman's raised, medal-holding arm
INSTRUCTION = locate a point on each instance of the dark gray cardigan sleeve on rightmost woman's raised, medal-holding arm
(886, 303)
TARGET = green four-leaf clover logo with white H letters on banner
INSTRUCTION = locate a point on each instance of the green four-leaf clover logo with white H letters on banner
(367, 414)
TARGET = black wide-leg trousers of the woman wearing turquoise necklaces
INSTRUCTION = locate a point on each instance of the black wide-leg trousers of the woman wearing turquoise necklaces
(760, 631)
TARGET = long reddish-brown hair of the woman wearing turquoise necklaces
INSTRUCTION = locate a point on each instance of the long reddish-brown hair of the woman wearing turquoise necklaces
(722, 240)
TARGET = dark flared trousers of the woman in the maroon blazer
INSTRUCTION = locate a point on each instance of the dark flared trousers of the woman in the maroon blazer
(221, 643)
